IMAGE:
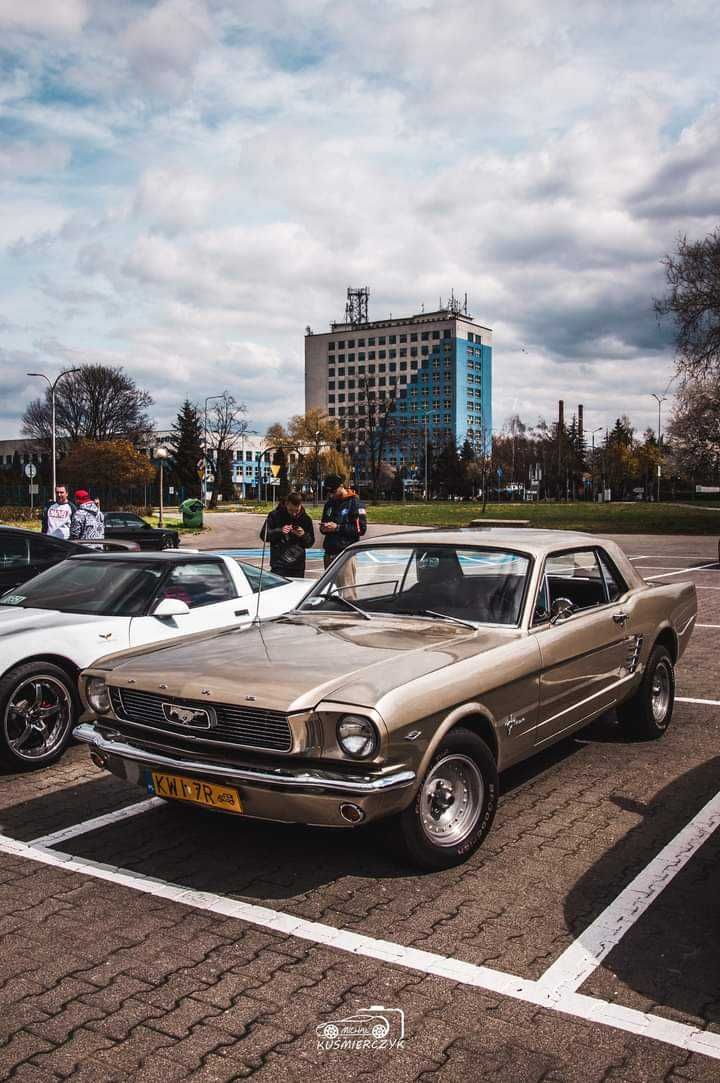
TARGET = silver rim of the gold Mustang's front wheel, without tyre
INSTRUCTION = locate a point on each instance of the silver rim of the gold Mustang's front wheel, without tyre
(452, 801)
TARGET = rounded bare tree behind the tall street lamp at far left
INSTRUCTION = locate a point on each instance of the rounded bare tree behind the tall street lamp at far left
(99, 402)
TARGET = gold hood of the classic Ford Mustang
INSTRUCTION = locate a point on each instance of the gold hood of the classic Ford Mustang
(293, 663)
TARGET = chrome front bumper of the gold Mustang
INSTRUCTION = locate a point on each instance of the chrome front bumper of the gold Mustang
(289, 794)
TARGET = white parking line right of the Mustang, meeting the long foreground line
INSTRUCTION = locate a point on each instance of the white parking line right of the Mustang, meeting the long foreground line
(578, 962)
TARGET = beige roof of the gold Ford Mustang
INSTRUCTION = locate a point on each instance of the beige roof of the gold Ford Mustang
(526, 540)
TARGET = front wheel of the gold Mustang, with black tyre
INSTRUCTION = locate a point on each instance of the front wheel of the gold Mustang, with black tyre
(455, 806)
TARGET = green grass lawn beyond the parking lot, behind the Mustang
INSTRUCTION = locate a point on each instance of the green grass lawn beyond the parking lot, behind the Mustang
(638, 518)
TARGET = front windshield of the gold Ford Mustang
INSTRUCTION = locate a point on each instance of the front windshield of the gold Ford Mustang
(478, 585)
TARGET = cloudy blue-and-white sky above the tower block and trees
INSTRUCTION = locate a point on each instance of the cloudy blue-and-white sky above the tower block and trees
(187, 185)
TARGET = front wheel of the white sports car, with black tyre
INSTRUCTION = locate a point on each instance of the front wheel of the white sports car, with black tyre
(38, 709)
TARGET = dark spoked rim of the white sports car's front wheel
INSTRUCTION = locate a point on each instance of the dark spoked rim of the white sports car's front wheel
(37, 717)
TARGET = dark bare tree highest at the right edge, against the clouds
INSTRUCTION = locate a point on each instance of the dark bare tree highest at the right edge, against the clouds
(693, 302)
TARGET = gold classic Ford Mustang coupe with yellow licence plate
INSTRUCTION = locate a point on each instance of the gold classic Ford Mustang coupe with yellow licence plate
(417, 668)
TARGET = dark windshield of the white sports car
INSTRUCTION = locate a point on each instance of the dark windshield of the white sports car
(109, 589)
